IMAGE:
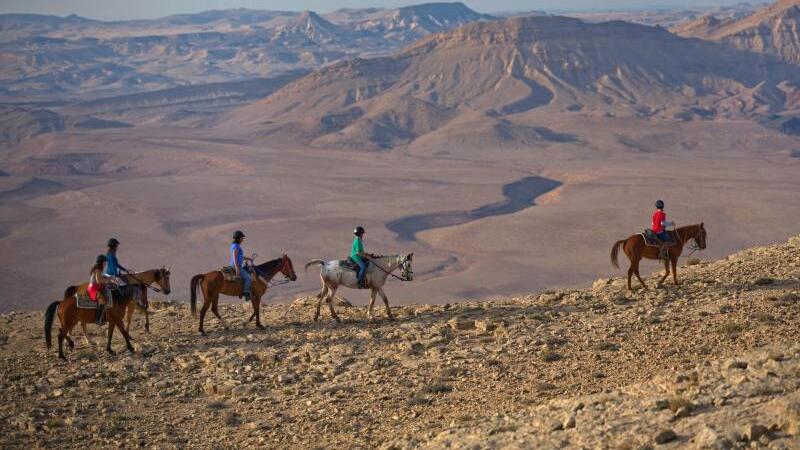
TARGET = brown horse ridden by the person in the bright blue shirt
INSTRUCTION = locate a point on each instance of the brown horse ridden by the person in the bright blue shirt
(213, 284)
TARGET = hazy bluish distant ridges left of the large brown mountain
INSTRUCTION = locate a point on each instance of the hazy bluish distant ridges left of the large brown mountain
(47, 56)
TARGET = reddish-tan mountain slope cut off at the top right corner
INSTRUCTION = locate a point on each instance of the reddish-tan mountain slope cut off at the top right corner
(772, 30)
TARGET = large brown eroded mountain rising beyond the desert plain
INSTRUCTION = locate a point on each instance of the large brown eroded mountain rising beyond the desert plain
(480, 75)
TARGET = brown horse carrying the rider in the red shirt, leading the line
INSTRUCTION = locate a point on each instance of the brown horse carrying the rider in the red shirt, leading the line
(636, 249)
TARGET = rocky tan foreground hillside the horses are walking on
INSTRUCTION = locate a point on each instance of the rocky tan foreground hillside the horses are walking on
(712, 363)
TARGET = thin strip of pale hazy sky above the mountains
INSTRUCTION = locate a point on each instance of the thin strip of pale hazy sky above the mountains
(134, 9)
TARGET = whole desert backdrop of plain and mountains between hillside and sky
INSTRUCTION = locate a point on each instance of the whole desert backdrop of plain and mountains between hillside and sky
(418, 137)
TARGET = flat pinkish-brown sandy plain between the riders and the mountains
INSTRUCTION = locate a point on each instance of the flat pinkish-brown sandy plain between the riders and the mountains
(174, 195)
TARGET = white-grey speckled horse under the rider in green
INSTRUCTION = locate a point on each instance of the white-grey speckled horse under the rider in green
(378, 270)
